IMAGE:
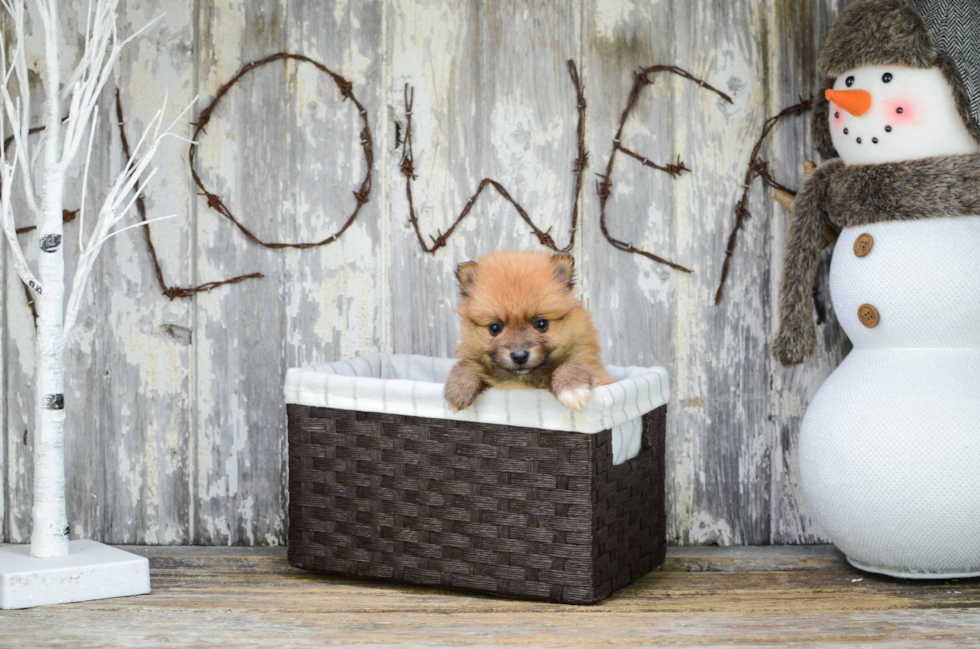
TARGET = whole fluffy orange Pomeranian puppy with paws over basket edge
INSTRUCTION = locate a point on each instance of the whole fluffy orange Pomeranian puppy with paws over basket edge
(521, 327)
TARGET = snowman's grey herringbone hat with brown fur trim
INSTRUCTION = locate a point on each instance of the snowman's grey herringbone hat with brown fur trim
(911, 33)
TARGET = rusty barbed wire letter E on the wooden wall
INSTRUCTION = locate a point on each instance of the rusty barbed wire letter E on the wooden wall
(604, 186)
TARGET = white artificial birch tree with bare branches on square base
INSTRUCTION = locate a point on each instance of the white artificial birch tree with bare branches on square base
(92, 570)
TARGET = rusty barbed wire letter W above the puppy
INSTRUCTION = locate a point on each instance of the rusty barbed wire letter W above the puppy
(544, 236)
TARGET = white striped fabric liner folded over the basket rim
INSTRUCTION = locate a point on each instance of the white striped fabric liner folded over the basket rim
(412, 385)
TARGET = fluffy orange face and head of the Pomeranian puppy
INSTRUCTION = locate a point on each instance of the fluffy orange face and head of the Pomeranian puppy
(515, 310)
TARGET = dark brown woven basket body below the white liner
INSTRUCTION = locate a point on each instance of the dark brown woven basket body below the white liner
(517, 512)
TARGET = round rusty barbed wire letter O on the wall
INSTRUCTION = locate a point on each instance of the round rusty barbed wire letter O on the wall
(367, 143)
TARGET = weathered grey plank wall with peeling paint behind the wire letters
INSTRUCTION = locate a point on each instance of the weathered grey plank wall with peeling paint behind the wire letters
(176, 433)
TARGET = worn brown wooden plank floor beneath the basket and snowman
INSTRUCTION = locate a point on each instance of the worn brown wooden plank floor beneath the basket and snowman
(756, 596)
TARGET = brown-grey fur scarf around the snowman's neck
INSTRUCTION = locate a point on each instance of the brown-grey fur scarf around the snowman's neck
(849, 196)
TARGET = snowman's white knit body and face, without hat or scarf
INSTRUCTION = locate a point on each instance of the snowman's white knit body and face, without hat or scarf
(890, 444)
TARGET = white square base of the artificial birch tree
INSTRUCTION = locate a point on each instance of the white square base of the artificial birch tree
(90, 571)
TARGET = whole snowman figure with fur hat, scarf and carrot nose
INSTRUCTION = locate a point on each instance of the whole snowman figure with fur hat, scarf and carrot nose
(890, 445)
